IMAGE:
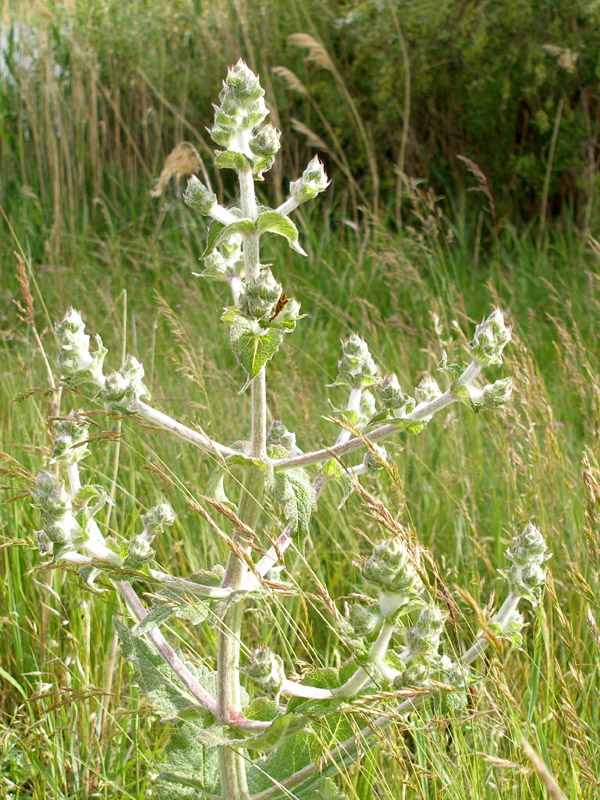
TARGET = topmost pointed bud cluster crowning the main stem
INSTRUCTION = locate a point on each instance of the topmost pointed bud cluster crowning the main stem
(242, 107)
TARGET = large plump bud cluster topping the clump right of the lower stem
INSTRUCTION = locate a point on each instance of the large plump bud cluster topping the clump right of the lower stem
(390, 570)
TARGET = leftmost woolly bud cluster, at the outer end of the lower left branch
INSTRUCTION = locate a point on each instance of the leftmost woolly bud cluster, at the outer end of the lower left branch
(59, 526)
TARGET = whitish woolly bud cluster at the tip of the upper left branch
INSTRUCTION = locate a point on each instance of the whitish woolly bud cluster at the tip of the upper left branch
(75, 361)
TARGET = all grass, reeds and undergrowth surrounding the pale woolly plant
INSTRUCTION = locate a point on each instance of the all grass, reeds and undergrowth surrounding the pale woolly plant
(87, 123)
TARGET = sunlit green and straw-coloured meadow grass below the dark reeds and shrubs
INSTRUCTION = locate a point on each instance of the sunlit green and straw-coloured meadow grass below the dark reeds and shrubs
(466, 484)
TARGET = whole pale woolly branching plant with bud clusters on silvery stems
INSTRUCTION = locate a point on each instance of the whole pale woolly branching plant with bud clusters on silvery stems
(245, 729)
